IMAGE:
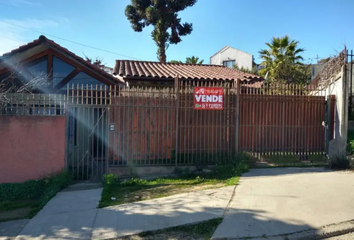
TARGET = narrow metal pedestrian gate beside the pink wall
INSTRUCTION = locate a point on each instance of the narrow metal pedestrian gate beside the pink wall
(87, 133)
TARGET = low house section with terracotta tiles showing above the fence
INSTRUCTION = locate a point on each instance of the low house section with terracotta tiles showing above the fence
(138, 73)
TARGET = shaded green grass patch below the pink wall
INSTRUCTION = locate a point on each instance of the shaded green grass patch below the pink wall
(24, 200)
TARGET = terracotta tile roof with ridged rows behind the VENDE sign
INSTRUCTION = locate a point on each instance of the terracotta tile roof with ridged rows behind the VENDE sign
(156, 70)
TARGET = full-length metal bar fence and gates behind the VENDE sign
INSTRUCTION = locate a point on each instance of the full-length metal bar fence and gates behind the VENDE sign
(159, 126)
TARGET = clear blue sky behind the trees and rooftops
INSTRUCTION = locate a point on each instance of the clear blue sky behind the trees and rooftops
(321, 26)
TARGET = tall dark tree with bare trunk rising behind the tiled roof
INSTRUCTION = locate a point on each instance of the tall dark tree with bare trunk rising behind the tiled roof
(163, 15)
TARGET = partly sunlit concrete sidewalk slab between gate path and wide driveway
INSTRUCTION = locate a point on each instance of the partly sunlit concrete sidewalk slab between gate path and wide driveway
(181, 209)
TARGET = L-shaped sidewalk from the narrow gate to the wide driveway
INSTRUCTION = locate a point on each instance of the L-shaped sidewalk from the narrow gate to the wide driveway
(74, 214)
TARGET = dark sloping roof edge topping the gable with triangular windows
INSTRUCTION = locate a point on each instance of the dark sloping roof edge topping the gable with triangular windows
(51, 43)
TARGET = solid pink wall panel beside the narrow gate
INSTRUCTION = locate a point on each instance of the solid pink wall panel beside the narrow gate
(31, 147)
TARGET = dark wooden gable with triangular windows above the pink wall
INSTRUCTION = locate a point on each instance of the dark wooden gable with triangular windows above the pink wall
(56, 64)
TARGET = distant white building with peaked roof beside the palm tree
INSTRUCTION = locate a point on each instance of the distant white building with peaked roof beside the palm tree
(229, 56)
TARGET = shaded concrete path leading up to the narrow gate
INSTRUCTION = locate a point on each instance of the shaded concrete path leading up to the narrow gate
(69, 215)
